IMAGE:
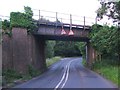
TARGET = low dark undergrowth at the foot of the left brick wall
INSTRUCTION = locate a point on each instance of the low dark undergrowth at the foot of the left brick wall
(10, 76)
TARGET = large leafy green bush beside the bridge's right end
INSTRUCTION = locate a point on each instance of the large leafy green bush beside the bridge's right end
(105, 39)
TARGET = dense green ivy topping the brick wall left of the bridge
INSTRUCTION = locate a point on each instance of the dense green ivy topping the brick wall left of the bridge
(22, 20)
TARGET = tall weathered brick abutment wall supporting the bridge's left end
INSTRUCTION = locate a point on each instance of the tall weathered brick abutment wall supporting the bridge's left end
(22, 49)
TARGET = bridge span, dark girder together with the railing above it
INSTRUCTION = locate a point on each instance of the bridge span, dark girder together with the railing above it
(51, 26)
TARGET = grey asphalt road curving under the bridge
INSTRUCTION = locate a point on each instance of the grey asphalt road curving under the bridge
(68, 73)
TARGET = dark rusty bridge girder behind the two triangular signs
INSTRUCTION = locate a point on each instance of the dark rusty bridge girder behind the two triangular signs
(52, 32)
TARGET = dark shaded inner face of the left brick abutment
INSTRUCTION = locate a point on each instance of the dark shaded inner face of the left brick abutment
(39, 54)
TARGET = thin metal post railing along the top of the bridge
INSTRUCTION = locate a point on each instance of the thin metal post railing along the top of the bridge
(48, 16)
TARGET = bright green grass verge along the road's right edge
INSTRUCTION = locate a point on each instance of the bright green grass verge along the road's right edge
(108, 70)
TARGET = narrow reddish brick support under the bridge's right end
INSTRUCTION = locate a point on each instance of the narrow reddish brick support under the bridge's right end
(90, 55)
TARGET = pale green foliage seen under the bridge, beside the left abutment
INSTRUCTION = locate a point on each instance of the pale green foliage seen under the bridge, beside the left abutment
(50, 49)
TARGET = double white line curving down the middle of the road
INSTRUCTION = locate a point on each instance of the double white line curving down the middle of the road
(67, 68)
